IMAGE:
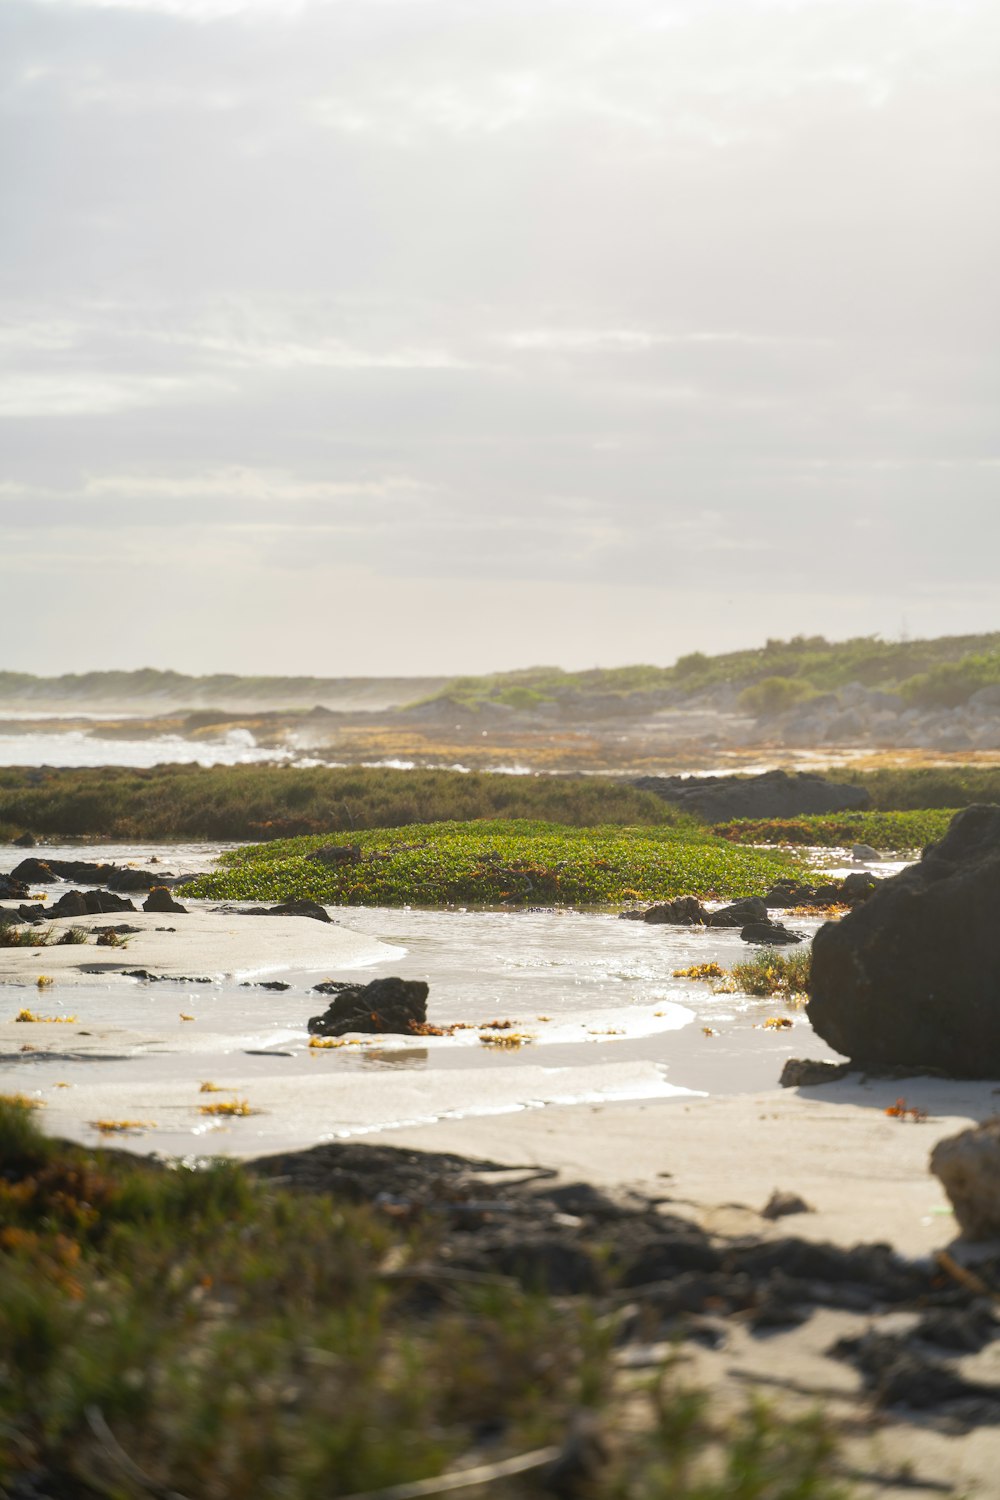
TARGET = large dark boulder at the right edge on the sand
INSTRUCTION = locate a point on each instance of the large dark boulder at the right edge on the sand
(912, 977)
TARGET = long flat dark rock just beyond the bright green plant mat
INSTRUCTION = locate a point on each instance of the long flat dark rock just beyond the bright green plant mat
(774, 794)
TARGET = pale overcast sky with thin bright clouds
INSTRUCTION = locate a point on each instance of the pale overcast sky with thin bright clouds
(430, 337)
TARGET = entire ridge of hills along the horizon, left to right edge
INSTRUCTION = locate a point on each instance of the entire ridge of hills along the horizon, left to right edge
(938, 674)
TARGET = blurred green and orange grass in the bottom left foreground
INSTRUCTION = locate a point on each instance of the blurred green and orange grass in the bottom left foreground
(209, 1333)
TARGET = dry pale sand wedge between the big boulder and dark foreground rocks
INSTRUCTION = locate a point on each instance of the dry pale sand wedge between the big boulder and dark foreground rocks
(719, 1160)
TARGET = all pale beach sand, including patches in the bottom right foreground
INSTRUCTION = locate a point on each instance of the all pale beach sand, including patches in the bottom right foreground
(711, 1157)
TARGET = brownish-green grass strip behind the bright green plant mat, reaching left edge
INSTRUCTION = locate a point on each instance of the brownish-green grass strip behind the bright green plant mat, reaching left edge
(253, 802)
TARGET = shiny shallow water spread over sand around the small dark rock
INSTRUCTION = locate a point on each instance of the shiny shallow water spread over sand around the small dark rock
(594, 998)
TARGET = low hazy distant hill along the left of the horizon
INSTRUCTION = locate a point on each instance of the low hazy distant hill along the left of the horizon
(157, 691)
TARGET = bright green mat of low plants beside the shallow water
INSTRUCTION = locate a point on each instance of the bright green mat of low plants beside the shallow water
(496, 865)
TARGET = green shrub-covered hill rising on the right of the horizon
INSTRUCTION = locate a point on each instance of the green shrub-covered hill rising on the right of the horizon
(941, 673)
